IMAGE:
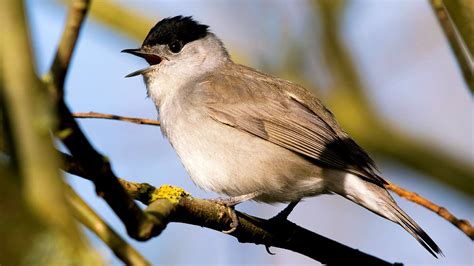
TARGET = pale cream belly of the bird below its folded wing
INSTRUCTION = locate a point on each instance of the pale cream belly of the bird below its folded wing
(226, 160)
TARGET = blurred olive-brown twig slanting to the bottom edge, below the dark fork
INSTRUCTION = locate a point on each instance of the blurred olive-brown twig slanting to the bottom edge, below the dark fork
(99, 227)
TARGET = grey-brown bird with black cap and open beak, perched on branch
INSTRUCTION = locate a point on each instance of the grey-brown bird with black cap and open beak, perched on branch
(252, 136)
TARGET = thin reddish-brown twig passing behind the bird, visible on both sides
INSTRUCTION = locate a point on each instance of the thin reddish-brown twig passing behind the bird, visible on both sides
(462, 224)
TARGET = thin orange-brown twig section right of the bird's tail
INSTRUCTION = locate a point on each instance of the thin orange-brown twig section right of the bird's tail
(462, 224)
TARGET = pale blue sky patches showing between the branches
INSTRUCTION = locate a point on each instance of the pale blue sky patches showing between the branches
(410, 76)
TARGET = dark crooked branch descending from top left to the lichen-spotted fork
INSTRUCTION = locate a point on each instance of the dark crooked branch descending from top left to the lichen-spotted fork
(139, 225)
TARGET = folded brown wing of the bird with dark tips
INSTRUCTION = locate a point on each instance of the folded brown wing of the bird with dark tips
(272, 109)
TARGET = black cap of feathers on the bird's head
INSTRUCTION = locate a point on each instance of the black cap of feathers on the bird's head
(177, 29)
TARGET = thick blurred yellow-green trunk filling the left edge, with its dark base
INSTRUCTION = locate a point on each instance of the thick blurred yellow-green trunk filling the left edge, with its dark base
(31, 166)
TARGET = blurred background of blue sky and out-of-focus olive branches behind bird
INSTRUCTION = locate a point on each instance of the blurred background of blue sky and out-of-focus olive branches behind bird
(384, 67)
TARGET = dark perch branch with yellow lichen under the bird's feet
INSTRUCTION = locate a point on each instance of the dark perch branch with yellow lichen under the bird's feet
(173, 204)
